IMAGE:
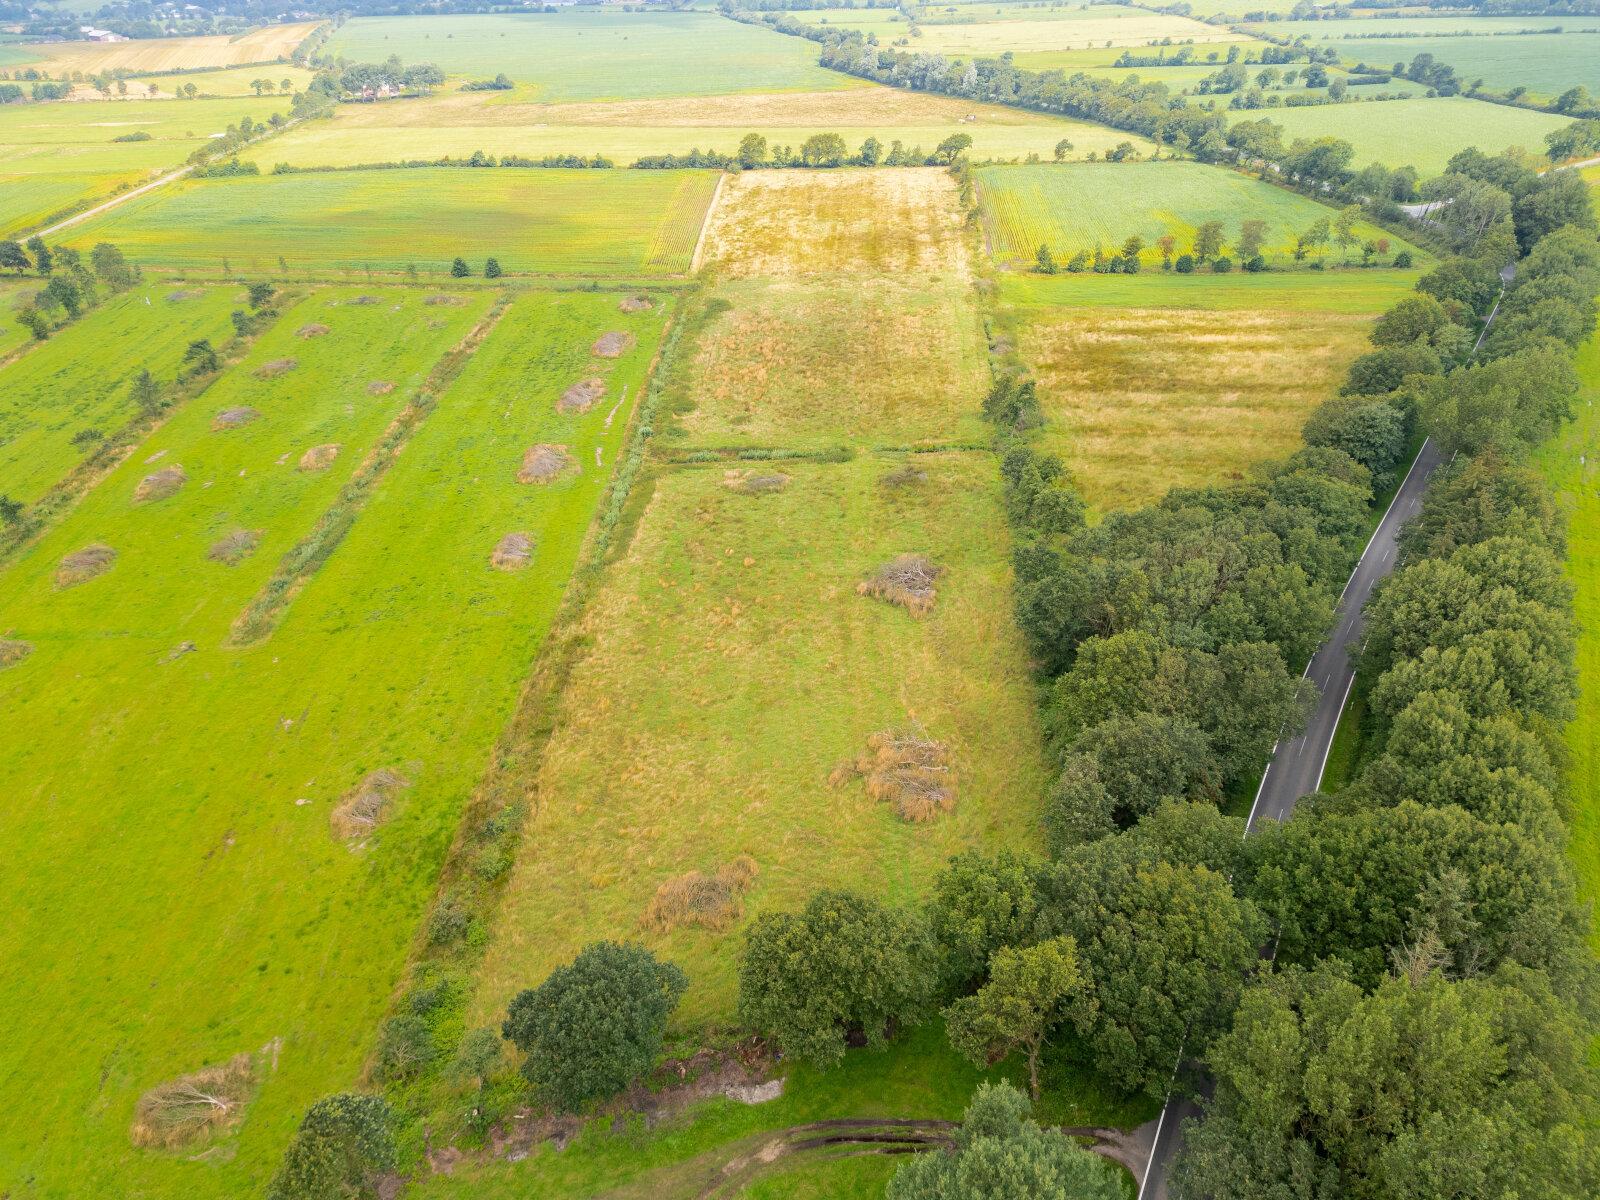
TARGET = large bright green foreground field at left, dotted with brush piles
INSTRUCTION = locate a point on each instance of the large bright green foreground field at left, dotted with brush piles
(198, 774)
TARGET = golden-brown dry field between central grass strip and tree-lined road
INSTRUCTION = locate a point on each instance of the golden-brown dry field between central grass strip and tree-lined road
(1142, 401)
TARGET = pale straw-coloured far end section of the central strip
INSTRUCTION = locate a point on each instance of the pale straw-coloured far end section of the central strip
(772, 225)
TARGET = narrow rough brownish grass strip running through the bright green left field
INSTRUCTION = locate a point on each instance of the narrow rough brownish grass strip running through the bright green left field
(266, 610)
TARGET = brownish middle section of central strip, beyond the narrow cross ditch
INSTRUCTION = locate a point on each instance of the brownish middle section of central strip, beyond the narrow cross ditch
(812, 364)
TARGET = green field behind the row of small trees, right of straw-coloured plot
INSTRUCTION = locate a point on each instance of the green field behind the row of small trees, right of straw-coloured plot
(1089, 206)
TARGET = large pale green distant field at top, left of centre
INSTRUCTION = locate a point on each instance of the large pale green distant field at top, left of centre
(598, 55)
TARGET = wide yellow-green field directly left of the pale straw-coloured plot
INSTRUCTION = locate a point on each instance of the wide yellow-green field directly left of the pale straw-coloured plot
(538, 222)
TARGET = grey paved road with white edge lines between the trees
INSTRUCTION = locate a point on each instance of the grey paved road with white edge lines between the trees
(1298, 762)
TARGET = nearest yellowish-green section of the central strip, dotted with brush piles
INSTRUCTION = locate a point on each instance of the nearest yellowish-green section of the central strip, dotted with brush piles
(730, 663)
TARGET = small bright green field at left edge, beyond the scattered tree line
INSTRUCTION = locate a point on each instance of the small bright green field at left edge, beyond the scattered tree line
(79, 380)
